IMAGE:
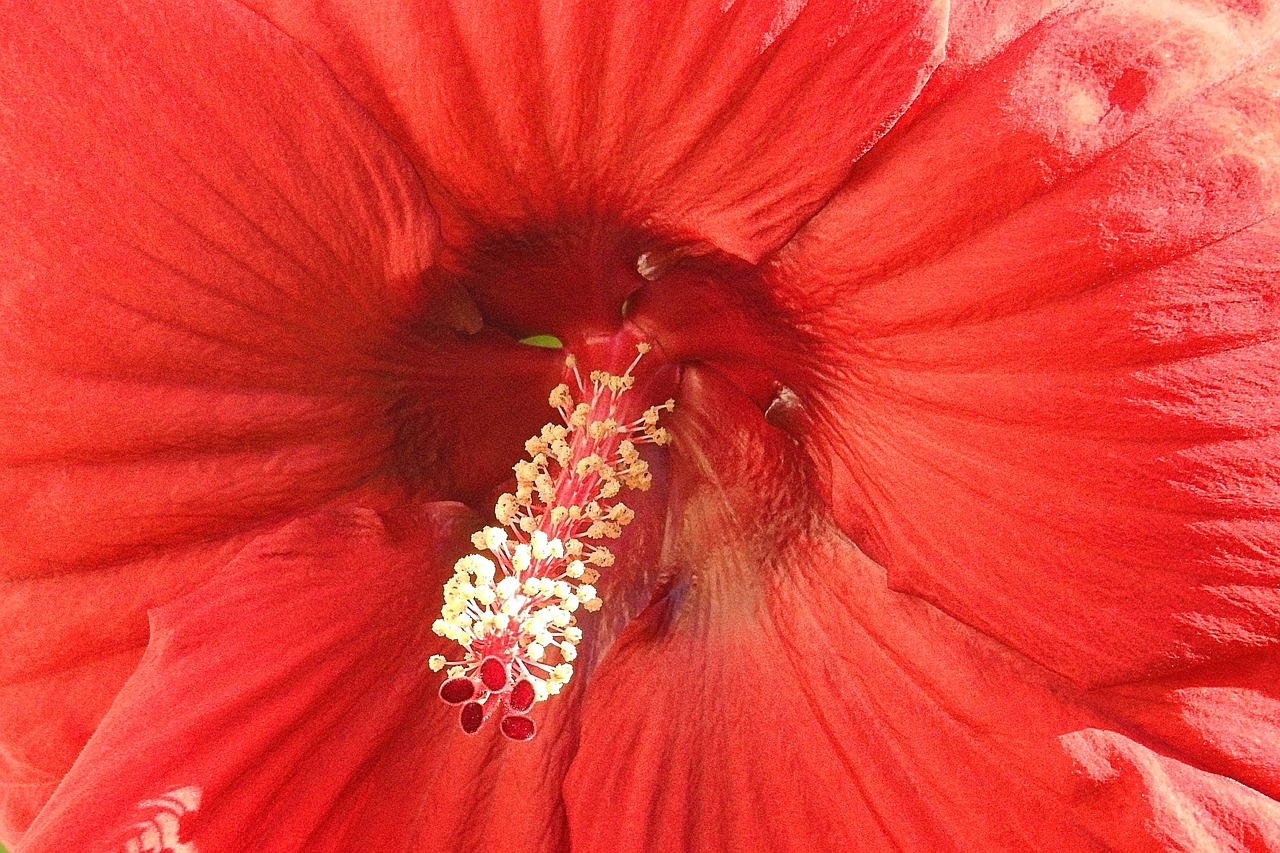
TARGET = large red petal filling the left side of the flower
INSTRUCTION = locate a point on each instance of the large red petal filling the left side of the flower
(208, 253)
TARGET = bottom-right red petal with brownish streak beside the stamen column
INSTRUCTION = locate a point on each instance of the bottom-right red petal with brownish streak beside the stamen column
(781, 697)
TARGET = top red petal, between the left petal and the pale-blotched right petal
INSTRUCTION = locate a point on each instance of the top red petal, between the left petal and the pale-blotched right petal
(685, 118)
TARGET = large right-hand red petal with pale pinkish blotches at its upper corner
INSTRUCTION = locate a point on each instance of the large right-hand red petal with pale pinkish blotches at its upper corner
(1048, 382)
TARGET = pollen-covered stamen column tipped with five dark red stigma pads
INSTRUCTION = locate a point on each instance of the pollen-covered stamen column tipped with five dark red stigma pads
(513, 608)
